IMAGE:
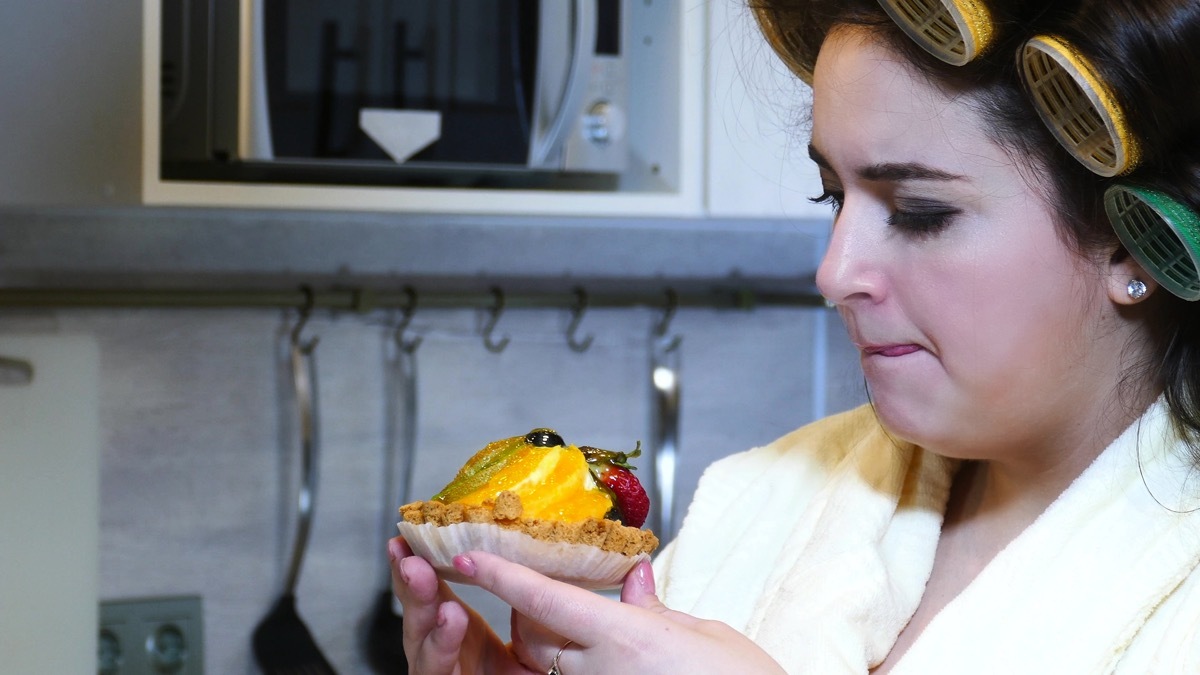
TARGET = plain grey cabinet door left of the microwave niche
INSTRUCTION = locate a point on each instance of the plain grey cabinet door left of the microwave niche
(70, 121)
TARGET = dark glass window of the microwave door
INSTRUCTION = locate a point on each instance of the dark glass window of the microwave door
(471, 61)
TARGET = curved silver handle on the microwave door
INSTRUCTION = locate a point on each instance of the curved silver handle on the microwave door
(566, 43)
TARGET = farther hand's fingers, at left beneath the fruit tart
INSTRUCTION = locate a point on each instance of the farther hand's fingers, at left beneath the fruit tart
(442, 635)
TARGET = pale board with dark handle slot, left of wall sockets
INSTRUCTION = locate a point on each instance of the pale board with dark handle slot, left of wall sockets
(50, 503)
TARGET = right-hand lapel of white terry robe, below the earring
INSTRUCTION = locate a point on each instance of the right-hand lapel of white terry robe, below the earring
(1071, 593)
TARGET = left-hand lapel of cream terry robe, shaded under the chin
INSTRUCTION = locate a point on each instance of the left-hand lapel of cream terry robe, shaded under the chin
(818, 546)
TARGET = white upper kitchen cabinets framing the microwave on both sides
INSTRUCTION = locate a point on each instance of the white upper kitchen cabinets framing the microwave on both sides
(81, 124)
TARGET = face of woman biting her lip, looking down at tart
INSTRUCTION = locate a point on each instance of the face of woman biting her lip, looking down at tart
(979, 330)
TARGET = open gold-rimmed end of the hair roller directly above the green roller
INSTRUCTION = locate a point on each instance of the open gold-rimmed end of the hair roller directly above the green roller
(1078, 106)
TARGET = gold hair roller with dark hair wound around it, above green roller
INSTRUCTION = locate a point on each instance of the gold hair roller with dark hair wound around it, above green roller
(1115, 81)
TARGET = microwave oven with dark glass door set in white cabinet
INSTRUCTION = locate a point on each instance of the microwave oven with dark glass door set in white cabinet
(478, 93)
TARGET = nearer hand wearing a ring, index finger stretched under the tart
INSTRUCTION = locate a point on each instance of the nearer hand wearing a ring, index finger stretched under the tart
(639, 635)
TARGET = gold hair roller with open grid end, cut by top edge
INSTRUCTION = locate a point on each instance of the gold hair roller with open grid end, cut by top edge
(953, 31)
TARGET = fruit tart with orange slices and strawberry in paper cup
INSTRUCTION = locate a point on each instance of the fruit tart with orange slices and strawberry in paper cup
(573, 513)
